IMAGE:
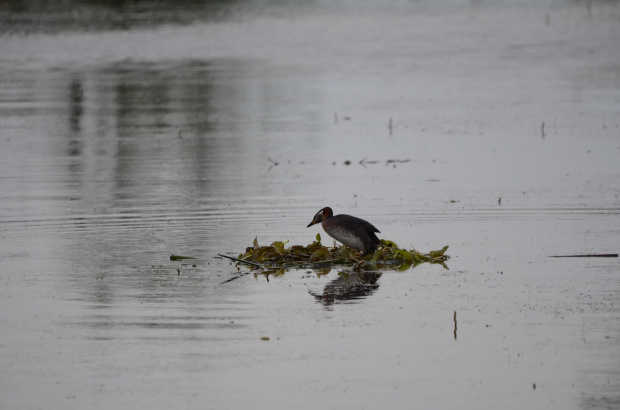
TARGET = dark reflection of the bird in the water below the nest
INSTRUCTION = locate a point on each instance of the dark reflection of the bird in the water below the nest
(348, 286)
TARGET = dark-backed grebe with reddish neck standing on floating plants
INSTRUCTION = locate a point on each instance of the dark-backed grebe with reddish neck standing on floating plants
(354, 232)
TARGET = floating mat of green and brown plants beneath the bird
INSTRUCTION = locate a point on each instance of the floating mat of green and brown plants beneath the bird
(316, 255)
